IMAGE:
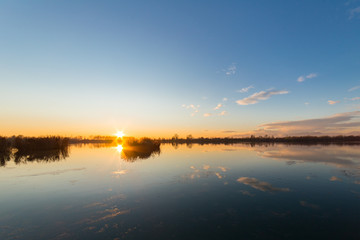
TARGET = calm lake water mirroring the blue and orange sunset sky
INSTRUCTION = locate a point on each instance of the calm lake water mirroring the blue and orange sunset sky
(202, 192)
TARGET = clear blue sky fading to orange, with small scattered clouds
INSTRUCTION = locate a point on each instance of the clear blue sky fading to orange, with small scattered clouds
(156, 68)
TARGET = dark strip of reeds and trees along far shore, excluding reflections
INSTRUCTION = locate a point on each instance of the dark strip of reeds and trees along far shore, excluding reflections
(53, 142)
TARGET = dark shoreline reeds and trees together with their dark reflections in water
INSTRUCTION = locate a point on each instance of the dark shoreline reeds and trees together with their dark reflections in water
(52, 148)
